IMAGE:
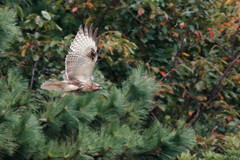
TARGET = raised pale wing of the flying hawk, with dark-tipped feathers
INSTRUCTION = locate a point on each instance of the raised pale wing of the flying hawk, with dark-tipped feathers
(81, 59)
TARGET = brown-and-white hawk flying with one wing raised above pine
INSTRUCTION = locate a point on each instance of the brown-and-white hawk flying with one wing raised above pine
(79, 64)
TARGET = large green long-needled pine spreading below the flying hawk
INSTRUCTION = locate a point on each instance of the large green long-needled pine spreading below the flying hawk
(110, 124)
